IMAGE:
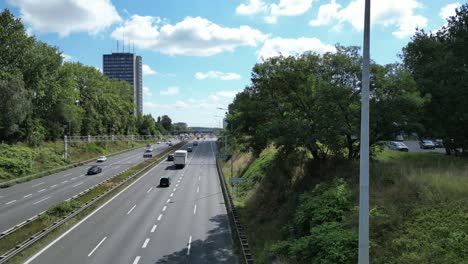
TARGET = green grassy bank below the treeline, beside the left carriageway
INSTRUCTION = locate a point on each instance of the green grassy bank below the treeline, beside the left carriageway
(19, 160)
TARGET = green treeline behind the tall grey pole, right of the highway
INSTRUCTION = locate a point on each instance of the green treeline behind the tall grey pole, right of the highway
(313, 101)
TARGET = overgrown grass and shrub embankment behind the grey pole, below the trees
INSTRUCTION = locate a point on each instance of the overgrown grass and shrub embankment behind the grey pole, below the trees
(295, 211)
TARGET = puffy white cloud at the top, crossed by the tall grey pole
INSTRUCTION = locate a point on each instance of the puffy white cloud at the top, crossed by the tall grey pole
(386, 13)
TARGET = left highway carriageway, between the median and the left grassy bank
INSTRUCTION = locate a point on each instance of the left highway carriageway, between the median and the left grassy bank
(22, 201)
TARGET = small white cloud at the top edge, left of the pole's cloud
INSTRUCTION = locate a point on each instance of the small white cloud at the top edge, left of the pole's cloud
(274, 10)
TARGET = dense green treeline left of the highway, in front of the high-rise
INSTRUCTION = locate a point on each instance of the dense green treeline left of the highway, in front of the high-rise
(43, 98)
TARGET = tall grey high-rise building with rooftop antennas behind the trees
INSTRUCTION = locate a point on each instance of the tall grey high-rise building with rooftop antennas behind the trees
(127, 67)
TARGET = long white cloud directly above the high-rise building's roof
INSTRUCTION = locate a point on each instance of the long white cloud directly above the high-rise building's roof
(193, 36)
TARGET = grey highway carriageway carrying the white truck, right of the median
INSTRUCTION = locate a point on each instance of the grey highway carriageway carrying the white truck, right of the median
(184, 223)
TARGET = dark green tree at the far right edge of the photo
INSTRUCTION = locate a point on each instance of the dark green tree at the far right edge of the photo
(438, 63)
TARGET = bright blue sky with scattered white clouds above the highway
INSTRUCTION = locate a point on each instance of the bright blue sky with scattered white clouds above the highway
(199, 53)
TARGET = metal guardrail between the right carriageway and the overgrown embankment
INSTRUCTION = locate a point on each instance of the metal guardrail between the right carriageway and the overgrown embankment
(244, 245)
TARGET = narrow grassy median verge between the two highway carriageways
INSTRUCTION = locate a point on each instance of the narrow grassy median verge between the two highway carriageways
(56, 212)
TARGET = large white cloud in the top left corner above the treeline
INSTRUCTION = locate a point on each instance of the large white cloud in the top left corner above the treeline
(67, 16)
